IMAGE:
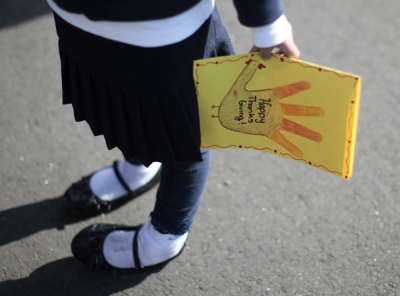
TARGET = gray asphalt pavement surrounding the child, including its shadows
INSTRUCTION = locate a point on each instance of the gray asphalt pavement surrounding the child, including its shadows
(266, 225)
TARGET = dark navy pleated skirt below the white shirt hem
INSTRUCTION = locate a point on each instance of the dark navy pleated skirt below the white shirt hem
(142, 100)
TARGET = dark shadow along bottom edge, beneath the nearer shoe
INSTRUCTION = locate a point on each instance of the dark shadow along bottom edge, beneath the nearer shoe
(69, 277)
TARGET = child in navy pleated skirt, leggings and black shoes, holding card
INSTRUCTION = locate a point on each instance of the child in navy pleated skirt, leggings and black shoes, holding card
(127, 70)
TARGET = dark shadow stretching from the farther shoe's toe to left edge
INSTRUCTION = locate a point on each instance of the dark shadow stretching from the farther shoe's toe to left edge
(32, 218)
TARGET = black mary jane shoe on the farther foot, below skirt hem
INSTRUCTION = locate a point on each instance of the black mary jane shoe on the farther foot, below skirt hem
(81, 201)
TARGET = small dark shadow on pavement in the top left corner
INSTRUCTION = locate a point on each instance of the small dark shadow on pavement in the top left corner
(13, 12)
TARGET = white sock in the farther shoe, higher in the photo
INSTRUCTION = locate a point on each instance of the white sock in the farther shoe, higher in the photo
(106, 186)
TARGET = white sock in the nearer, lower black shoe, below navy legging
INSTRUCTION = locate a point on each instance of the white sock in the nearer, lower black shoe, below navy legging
(154, 247)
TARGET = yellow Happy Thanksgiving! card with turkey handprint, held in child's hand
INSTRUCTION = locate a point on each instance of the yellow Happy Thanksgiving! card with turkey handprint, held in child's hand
(287, 107)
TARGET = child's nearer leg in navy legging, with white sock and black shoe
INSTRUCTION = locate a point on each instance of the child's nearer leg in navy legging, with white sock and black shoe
(162, 237)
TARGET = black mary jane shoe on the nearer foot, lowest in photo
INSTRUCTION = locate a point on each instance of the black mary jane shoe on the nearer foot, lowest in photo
(87, 246)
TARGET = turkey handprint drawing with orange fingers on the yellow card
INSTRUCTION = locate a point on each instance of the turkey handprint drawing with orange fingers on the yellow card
(259, 112)
